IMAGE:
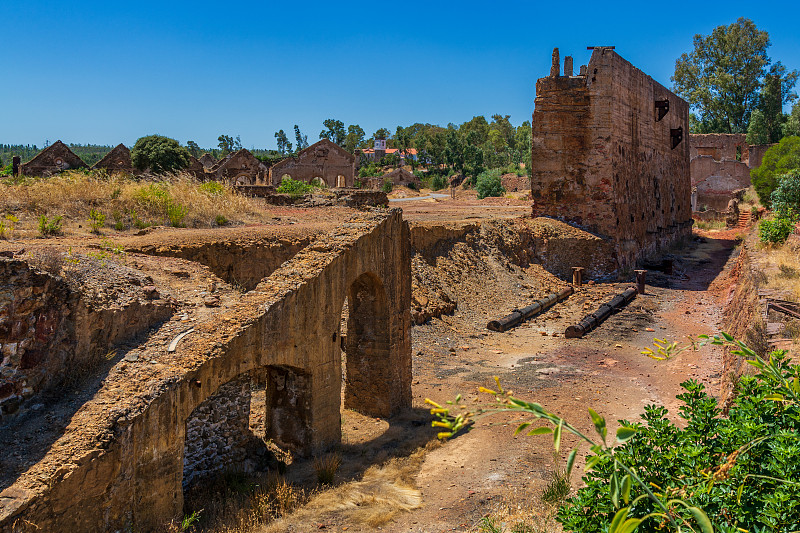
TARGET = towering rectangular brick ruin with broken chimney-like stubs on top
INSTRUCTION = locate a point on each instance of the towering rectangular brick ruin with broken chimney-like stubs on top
(610, 155)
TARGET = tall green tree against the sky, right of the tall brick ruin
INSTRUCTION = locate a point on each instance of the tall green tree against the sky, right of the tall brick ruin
(722, 77)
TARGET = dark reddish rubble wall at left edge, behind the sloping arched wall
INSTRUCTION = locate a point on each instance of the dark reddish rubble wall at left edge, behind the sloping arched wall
(51, 333)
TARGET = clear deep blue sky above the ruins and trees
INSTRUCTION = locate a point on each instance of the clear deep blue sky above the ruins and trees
(110, 71)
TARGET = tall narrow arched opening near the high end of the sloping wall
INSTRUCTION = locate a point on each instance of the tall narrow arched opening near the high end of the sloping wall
(368, 369)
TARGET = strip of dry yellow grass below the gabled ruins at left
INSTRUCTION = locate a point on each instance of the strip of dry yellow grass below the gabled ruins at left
(126, 202)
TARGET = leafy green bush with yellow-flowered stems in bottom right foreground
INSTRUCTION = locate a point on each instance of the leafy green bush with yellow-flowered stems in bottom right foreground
(740, 472)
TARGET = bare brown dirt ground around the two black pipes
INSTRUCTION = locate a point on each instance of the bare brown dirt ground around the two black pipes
(476, 473)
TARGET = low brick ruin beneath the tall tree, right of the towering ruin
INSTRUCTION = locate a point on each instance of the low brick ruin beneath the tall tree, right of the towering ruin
(720, 166)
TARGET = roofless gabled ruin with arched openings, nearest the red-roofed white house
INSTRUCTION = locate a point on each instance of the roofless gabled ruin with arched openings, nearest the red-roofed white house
(325, 160)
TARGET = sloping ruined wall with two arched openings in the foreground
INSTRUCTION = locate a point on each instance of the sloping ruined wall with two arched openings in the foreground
(123, 467)
